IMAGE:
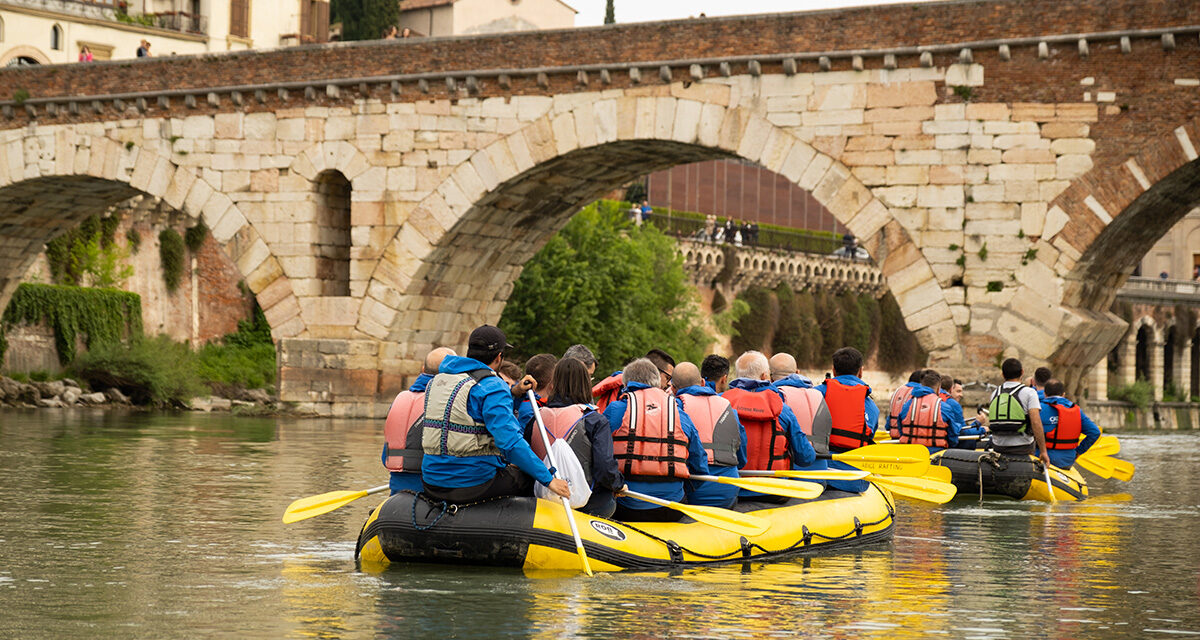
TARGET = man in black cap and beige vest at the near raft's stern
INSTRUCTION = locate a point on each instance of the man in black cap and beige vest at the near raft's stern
(470, 430)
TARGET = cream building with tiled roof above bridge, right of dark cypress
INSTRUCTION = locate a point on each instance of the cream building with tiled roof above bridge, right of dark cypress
(473, 17)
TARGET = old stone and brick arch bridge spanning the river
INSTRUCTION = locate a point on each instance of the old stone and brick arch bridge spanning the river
(1006, 163)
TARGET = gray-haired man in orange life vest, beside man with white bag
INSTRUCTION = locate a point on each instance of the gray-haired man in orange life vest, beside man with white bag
(655, 456)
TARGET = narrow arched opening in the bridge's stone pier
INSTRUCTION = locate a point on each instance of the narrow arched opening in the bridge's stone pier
(333, 242)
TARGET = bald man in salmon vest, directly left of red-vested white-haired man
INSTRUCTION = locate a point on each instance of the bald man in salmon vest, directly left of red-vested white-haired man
(721, 433)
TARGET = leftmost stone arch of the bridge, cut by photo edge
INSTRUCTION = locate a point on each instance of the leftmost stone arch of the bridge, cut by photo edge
(50, 184)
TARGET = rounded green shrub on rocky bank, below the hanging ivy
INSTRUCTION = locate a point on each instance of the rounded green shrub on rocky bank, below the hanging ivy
(149, 370)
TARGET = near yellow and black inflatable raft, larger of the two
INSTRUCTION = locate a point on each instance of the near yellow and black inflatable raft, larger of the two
(535, 534)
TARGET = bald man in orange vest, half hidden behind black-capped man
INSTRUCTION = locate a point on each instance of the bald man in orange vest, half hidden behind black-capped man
(403, 445)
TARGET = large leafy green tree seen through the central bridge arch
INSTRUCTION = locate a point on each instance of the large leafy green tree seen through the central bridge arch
(603, 283)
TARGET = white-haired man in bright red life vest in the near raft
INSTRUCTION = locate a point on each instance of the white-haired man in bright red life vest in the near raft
(775, 439)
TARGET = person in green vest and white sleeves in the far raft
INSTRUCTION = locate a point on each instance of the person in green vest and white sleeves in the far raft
(1016, 416)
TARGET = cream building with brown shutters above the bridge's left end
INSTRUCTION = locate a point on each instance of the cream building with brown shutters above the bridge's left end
(58, 32)
